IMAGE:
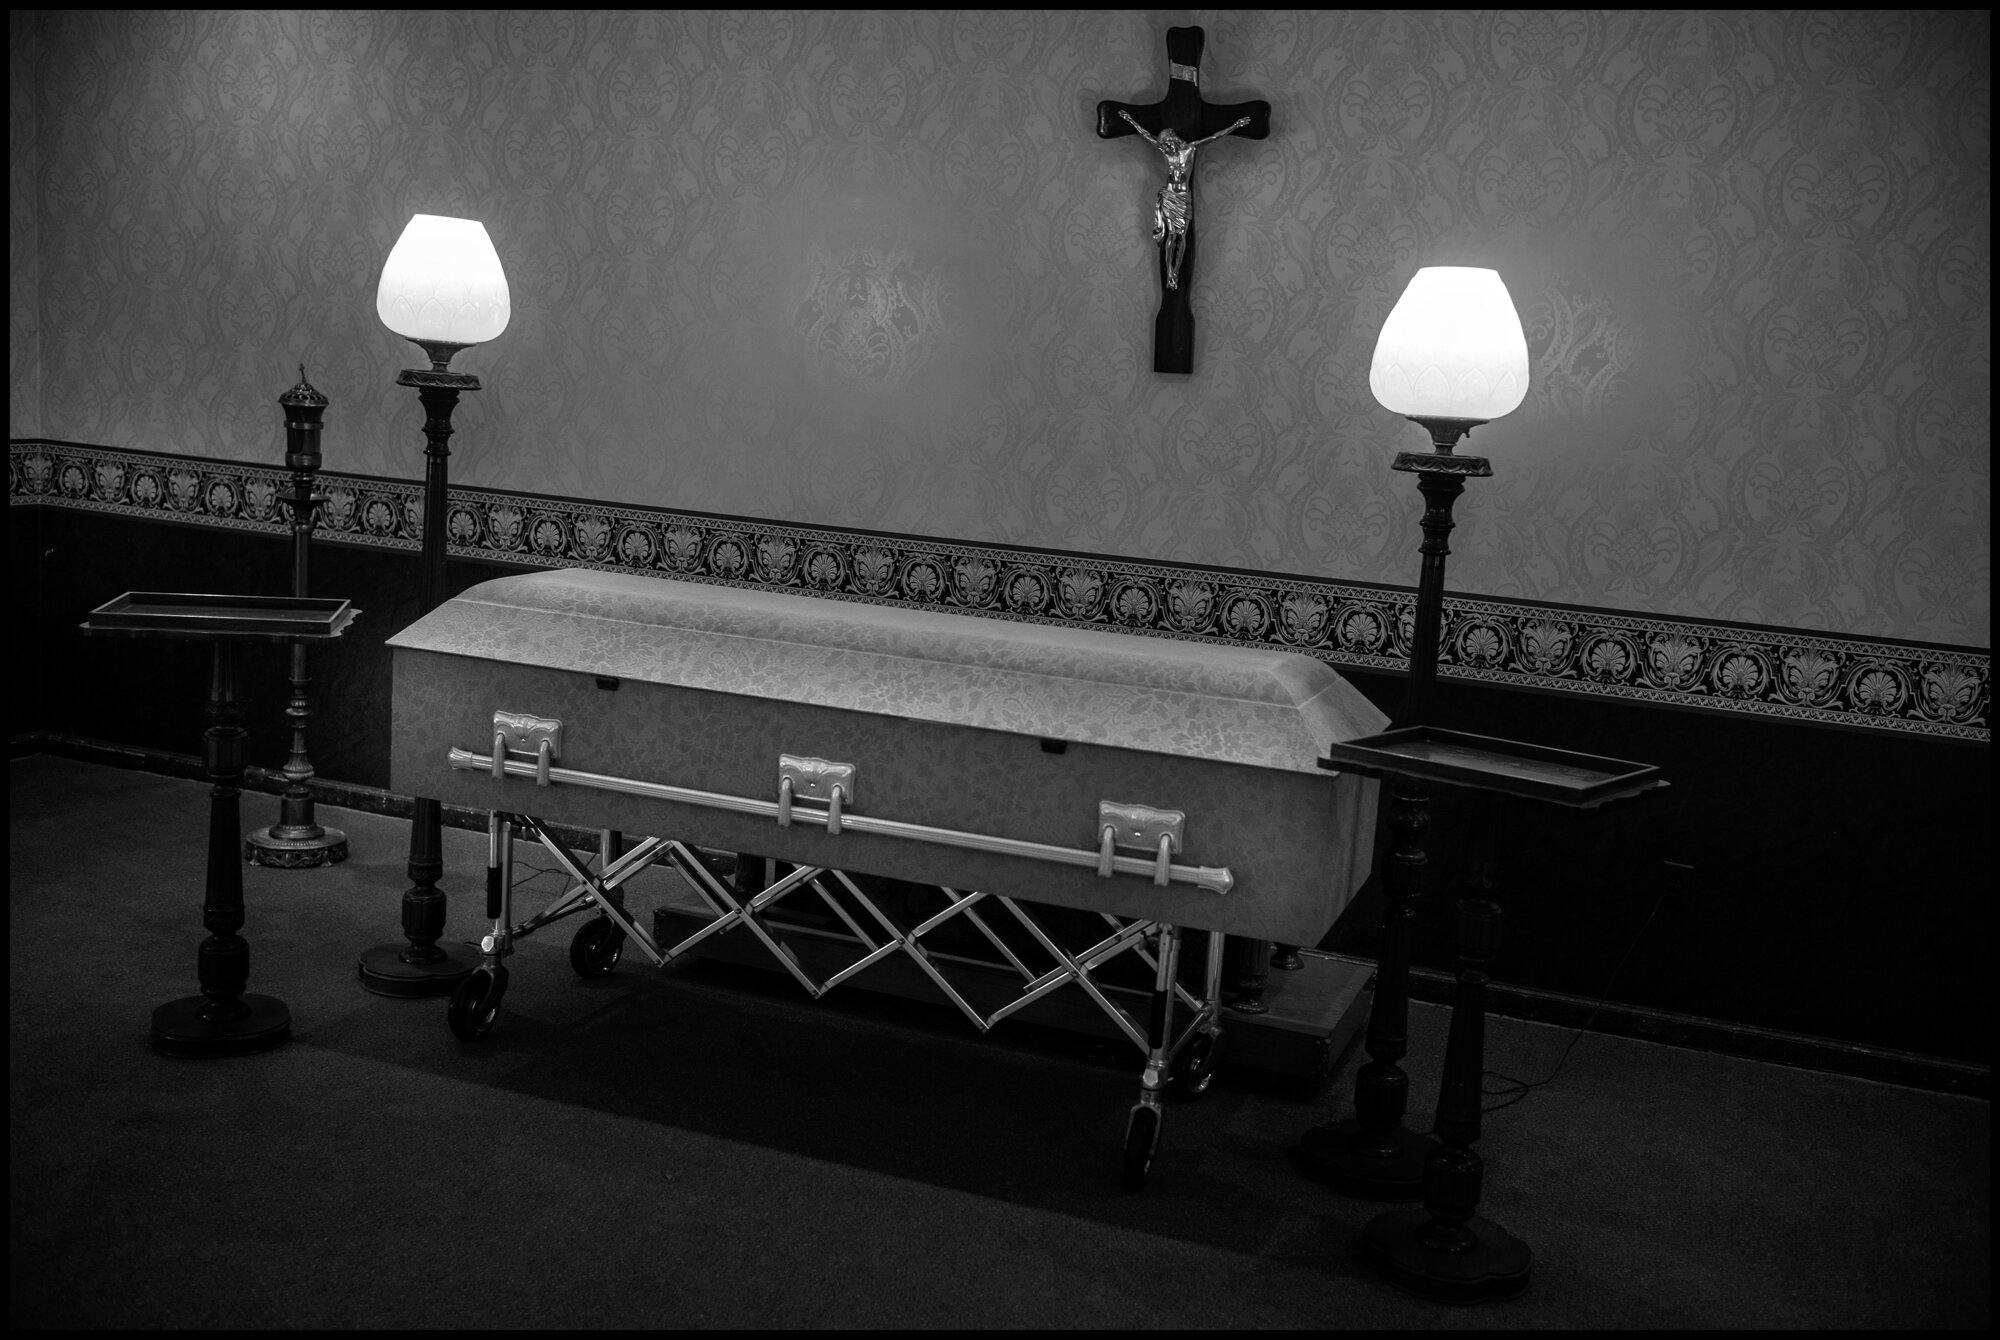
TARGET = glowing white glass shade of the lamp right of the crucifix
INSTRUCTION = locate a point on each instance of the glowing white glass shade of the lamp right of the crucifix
(1451, 349)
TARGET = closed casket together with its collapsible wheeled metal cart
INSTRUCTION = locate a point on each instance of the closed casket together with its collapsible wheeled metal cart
(1151, 783)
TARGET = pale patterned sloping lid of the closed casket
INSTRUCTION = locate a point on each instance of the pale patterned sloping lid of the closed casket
(1139, 693)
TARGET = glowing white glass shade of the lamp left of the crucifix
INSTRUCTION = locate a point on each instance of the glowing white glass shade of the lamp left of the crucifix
(443, 283)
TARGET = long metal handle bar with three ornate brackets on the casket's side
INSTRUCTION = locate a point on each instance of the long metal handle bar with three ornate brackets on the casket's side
(839, 795)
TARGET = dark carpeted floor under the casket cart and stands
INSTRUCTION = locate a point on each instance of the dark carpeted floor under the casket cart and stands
(703, 1147)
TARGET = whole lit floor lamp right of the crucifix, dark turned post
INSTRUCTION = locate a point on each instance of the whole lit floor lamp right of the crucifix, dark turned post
(1451, 357)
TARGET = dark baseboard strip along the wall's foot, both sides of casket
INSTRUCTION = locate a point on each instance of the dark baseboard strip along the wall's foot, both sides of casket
(1523, 1003)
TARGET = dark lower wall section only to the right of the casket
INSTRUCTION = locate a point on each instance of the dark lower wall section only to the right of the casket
(1839, 879)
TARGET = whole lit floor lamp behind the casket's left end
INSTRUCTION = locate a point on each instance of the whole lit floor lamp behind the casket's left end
(443, 289)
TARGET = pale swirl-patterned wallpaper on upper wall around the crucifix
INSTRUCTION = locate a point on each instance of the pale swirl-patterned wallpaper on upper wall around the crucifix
(877, 271)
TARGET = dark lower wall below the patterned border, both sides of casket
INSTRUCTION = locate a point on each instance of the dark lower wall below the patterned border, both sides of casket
(1841, 877)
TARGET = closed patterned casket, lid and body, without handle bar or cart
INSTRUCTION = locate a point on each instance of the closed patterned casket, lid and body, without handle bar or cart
(1297, 841)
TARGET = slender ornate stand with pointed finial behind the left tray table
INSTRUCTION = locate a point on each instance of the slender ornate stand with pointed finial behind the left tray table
(299, 841)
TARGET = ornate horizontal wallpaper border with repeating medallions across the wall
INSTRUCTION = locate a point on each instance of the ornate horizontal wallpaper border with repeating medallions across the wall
(1769, 673)
